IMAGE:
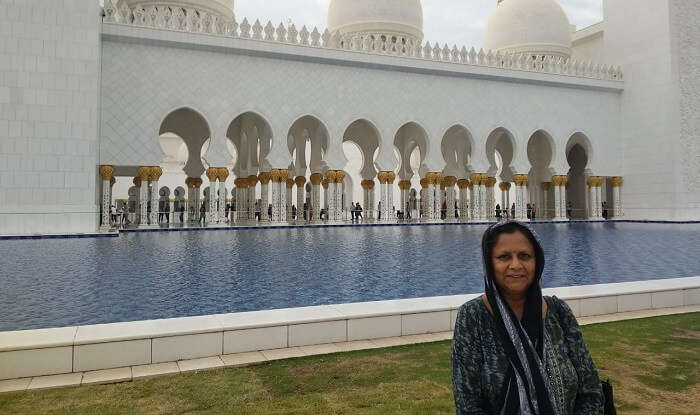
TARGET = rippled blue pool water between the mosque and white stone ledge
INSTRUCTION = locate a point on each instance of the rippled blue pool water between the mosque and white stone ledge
(140, 276)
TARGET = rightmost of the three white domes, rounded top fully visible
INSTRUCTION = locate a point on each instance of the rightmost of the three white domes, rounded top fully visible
(539, 27)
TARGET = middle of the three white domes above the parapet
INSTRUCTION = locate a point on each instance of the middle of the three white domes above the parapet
(401, 17)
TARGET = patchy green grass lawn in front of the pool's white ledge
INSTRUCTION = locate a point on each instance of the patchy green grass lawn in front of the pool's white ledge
(654, 365)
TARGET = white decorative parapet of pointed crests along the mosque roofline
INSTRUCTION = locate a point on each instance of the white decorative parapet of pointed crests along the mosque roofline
(196, 21)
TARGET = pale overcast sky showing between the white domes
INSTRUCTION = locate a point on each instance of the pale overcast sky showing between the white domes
(458, 22)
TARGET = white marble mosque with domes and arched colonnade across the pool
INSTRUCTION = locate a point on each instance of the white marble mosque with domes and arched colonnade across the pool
(182, 107)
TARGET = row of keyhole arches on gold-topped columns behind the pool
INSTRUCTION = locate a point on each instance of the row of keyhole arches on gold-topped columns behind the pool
(460, 191)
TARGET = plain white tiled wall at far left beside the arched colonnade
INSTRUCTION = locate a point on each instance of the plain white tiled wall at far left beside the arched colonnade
(49, 105)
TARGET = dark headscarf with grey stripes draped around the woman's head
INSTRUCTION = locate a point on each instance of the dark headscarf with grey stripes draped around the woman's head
(526, 390)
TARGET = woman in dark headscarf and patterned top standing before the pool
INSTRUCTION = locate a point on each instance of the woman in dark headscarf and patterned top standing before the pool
(512, 352)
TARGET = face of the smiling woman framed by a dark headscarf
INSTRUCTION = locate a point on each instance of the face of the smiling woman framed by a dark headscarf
(513, 259)
